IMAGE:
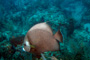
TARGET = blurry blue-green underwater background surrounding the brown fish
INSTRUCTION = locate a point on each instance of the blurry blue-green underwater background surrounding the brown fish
(71, 17)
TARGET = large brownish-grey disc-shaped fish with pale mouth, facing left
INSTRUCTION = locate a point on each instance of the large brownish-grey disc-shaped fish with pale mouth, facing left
(41, 37)
